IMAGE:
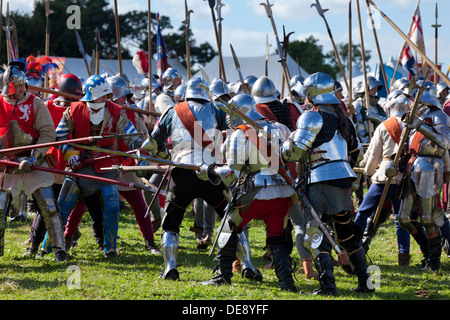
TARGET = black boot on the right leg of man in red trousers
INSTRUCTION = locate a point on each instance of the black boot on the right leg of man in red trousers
(283, 267)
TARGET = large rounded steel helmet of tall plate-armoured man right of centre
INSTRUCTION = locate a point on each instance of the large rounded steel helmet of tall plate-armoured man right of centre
(319, 89)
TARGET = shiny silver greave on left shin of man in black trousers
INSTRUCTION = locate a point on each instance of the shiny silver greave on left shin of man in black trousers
(169, 248)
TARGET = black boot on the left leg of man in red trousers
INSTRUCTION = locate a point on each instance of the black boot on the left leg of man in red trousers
(226, 256)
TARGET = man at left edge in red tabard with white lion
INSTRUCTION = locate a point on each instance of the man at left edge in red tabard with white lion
(26, 120)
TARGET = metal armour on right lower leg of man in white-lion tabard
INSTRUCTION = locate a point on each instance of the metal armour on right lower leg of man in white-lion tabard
(45, 200)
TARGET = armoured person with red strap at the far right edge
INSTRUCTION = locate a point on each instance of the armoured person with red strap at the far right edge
(428, 168)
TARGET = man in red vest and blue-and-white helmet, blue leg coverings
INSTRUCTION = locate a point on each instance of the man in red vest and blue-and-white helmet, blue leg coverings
(94, 115)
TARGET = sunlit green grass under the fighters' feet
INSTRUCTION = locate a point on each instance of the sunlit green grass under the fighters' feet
(133, 275)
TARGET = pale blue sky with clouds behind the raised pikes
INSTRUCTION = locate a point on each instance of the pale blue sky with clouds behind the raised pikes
(245, 24)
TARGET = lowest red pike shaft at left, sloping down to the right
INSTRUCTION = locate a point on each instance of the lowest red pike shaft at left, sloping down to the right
(81, 176)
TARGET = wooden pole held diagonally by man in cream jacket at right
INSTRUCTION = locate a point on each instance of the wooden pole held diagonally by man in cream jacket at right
(404, 137)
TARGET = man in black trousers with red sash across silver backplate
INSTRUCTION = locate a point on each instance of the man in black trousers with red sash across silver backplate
(195, 129)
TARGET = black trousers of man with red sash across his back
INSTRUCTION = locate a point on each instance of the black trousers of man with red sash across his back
(184, 187)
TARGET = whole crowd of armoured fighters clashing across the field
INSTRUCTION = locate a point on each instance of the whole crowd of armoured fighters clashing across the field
(236, 152)
